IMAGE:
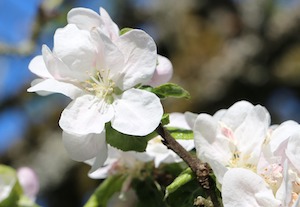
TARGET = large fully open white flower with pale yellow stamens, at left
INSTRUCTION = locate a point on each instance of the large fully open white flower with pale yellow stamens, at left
(100, 76)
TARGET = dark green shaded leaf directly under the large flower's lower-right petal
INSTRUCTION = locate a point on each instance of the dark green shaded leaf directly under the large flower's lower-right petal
(127, 142)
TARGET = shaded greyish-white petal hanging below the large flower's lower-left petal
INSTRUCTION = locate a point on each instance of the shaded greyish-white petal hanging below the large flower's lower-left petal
(83, 147)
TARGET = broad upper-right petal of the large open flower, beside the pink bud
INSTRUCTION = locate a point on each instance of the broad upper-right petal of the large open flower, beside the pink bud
(140, 55)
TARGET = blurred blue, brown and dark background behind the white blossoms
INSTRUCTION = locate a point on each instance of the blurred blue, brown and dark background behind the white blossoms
(222, 51)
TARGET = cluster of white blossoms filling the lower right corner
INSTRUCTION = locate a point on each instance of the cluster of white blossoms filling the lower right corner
(255, 163)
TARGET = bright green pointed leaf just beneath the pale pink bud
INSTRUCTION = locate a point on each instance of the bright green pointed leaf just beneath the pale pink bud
(171, 90)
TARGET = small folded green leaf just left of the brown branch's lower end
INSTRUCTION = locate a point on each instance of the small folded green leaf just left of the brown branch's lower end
(186, 176)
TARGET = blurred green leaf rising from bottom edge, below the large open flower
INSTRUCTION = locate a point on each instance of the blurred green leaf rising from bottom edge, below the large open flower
(105, 191)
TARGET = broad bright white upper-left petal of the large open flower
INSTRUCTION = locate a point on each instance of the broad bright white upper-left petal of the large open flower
(77, 50)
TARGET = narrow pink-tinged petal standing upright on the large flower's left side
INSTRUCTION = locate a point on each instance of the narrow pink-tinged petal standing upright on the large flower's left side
(55, 66)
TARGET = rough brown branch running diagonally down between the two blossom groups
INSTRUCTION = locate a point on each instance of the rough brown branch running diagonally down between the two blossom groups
(200, 169)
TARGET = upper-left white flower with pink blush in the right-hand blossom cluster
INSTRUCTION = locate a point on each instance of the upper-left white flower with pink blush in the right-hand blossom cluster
(231, 138)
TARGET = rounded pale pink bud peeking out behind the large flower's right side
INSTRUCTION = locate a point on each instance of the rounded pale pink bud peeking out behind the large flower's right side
(163, 72)
